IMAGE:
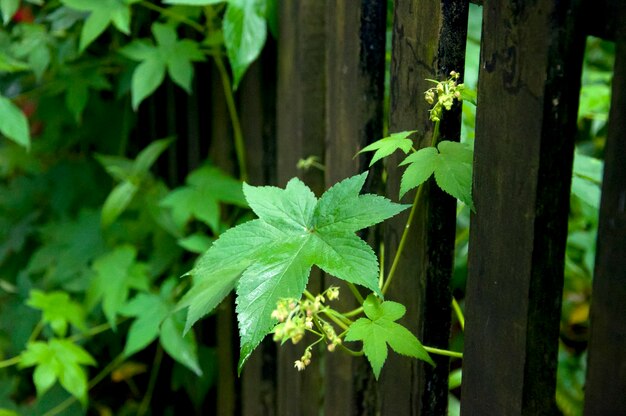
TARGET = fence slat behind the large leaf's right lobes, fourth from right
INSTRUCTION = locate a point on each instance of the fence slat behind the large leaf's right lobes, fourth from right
(355, 81)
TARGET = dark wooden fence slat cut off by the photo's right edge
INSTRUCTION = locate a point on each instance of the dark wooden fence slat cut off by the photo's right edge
(606, 375)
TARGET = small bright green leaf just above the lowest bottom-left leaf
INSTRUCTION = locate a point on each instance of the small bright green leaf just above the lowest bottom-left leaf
(58, 310)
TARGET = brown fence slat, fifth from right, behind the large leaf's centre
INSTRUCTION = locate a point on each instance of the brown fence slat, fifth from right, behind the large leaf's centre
(300, 134)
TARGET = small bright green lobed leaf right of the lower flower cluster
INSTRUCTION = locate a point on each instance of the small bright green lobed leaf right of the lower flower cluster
(379, 329)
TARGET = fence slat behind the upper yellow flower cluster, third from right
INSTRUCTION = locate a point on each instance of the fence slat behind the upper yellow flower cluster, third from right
(428, 42)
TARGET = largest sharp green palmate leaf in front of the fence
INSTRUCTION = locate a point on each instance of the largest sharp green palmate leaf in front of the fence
(270, 258)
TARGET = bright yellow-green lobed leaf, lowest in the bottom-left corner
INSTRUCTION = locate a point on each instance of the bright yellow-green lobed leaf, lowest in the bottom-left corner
(58, 359)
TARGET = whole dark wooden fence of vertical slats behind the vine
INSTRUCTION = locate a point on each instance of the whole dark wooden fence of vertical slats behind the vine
(325, 99)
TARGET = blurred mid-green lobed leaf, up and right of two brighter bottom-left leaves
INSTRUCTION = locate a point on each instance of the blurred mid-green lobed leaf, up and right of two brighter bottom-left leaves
(117, 272)
